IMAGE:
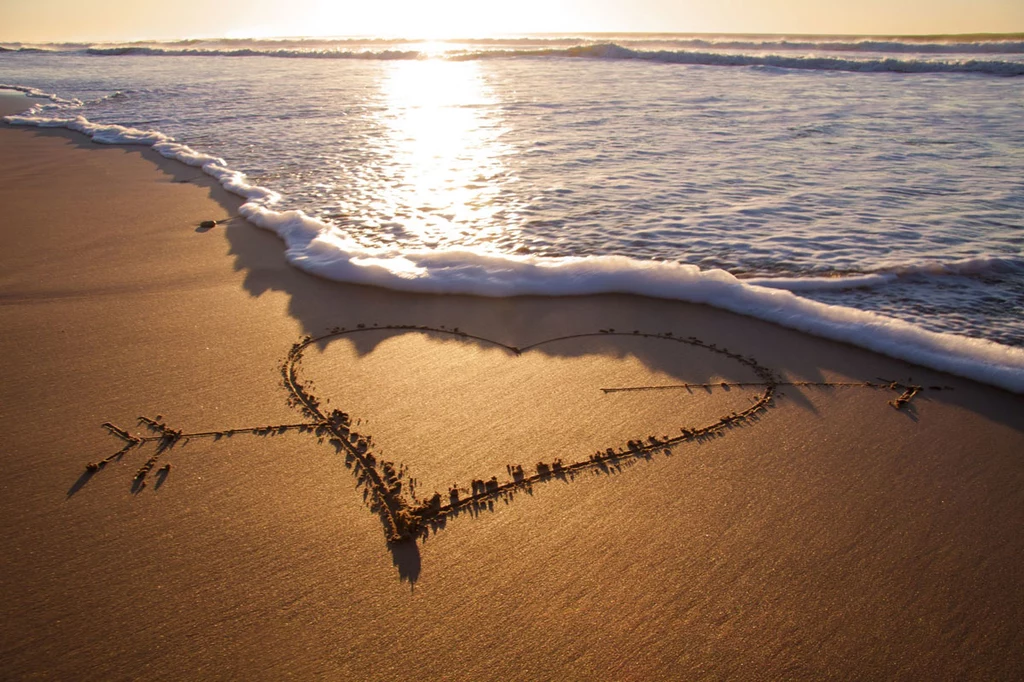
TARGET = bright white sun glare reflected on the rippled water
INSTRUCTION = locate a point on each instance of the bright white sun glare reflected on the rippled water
(443, 179)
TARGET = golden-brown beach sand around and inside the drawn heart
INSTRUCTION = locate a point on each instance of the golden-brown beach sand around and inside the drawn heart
(832, 536)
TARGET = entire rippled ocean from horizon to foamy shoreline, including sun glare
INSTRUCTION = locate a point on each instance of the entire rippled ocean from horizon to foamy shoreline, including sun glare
(866, 190)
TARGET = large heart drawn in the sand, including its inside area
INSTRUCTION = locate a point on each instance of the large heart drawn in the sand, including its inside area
(435, 421)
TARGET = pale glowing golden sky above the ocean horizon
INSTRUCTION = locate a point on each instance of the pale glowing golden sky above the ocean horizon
(129, 20)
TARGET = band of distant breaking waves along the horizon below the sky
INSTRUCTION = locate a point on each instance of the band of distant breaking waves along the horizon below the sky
(864, 56)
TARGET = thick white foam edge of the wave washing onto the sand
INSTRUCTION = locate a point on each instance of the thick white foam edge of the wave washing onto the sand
(319, 249)
